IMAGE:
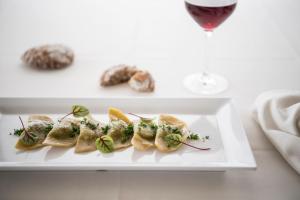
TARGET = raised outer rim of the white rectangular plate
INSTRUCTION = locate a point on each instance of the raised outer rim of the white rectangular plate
(226, 165)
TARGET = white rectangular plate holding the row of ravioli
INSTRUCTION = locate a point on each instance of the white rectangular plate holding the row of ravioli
(213, 117)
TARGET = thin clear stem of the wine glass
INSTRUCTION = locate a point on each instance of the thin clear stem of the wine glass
(206, 53)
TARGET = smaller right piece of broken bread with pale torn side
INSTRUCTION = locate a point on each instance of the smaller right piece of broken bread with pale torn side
(142, 81)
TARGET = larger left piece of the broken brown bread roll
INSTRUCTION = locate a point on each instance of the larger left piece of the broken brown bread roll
(117, 74)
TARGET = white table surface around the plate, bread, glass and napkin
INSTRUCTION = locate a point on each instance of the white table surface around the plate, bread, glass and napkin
(257, 49)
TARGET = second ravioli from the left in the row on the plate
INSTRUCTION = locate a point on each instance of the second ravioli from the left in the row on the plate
(64, 134)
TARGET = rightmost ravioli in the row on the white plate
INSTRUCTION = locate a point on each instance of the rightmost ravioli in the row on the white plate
(169, 125)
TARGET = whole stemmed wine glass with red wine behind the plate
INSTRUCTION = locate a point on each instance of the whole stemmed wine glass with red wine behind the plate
(209, 14)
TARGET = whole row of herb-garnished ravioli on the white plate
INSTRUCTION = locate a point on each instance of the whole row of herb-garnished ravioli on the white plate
(88, 134)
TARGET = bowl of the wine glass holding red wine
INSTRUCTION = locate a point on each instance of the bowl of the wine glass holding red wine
(209, 14)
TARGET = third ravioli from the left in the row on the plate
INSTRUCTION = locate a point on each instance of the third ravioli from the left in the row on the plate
(90, 130)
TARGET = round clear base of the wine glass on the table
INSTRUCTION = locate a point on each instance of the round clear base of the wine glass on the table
(206, 84)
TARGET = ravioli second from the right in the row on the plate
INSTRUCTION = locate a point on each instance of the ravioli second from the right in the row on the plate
(144, 134)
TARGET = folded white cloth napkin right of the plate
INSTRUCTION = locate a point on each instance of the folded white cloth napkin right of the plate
(278, 113)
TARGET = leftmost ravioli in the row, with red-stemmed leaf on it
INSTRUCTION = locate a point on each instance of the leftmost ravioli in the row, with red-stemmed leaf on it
(33, 136)
